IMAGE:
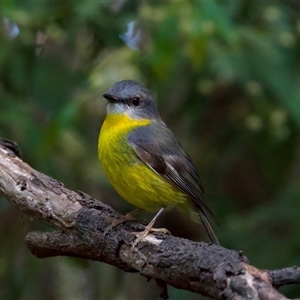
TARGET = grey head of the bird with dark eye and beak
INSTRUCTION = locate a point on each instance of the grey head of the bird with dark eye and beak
(131, 98)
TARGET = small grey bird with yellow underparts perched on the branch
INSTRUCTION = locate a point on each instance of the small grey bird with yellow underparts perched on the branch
(144, 161)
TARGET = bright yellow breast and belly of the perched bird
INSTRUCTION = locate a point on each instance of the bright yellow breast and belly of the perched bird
(132, 179)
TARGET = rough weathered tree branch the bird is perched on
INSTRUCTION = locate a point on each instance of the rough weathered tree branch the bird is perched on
(80, 222)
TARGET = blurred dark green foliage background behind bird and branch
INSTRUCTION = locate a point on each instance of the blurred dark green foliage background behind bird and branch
(226, 78)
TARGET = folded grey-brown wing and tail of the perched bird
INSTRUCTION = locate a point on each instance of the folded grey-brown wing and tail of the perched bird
(162, 153)
